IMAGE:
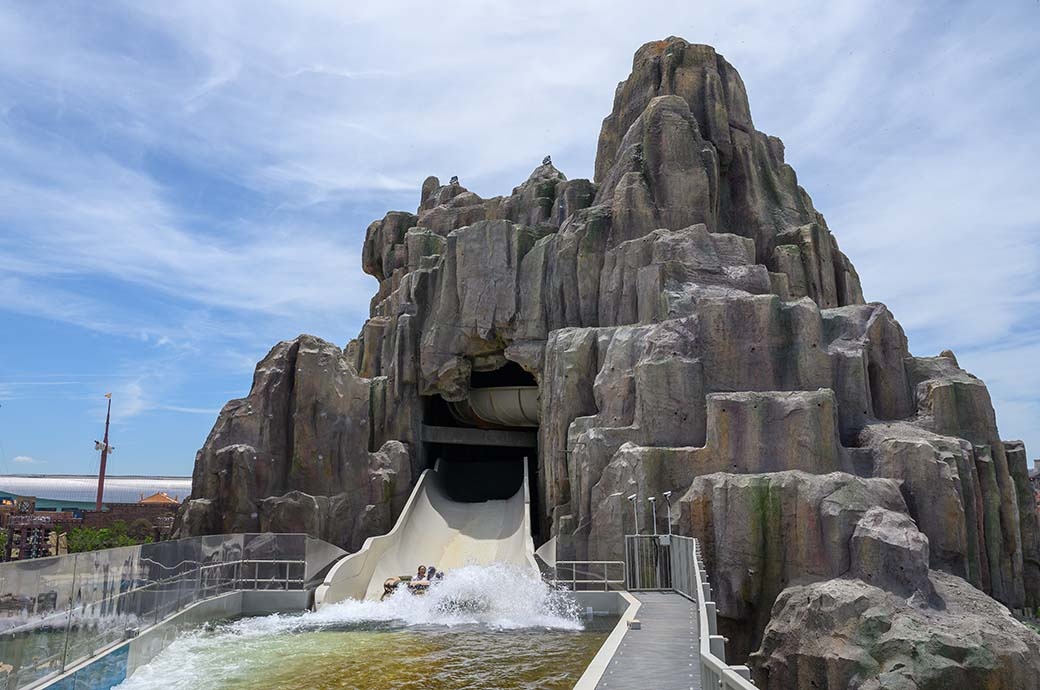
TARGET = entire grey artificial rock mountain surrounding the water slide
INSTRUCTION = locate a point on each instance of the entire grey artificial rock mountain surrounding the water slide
(693, 327)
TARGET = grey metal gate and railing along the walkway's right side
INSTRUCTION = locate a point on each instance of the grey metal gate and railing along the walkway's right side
(673, 564)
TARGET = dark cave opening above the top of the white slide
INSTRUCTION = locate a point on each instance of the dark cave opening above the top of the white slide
(483, 458)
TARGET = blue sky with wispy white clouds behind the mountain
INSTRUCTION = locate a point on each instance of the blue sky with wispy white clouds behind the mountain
(184, 185)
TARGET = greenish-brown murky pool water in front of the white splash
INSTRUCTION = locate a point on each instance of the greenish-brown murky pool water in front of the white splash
(356, 659)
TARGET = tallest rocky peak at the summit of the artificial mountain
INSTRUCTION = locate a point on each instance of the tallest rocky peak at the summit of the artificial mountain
(696, 157)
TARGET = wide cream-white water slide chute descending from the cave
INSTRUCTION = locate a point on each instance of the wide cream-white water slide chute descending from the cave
(433, 529)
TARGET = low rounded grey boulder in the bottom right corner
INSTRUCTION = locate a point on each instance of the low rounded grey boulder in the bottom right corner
(849, 634)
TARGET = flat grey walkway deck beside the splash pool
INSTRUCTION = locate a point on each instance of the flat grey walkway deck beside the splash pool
(664, 654)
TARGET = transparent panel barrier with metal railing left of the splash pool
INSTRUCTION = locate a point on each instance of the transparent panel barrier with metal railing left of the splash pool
(60, 611)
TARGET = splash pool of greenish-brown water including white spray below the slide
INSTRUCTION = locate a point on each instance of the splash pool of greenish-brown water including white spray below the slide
(483, 628)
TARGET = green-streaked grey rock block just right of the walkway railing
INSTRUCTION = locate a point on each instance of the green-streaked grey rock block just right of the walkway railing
(761, 533)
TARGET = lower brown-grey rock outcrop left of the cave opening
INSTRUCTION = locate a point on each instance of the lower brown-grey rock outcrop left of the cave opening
(294, 455)
